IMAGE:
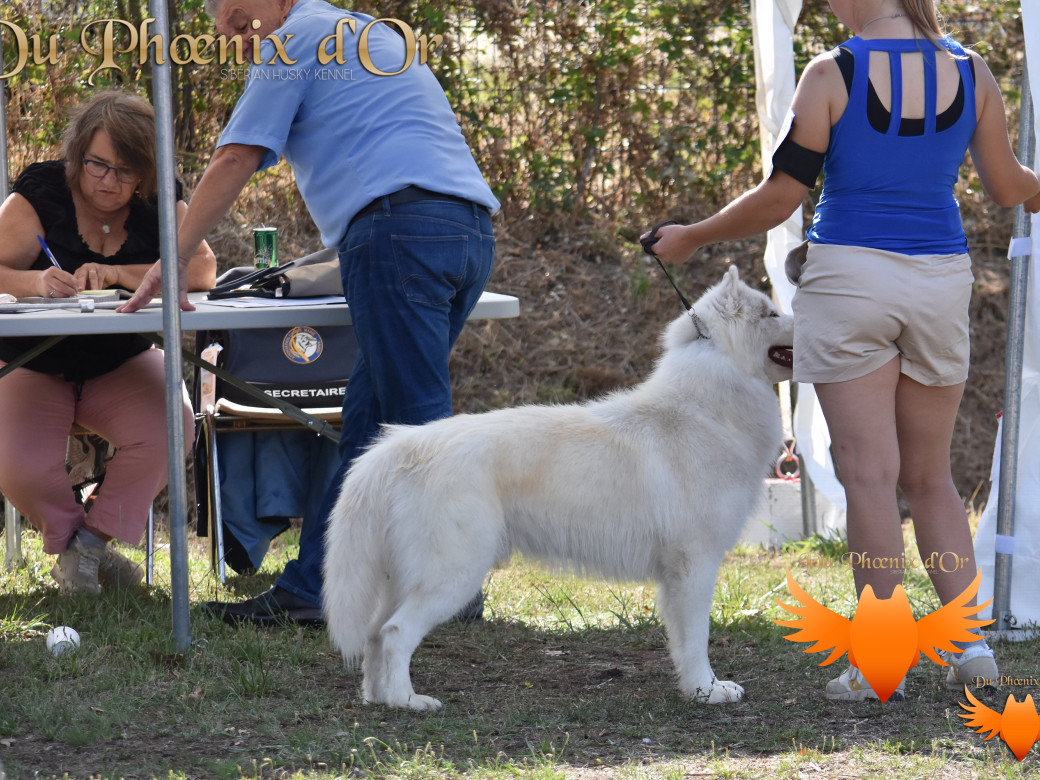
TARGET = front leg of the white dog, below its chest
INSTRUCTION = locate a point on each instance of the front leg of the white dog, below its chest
(685, 596)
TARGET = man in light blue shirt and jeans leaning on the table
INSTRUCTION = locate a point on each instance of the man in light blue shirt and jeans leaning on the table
(389, 179)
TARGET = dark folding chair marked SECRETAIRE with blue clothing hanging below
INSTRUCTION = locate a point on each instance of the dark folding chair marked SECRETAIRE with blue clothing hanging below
(255, 467)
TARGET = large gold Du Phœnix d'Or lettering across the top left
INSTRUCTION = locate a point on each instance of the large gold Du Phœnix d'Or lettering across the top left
(108, 39)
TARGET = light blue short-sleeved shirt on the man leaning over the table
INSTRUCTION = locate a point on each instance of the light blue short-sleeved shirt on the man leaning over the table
(352, 136)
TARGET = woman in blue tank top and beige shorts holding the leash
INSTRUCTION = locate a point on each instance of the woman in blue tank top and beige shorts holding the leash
(881, 311)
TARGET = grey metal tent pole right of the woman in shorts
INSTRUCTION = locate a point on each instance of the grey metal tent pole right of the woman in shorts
(1013, 386)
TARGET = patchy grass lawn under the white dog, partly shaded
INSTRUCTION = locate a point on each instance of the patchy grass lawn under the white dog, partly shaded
(566, 679)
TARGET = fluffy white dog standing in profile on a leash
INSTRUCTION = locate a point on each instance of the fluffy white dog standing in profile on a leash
(656, 482)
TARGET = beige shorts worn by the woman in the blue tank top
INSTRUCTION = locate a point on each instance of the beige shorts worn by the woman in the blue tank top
(857, 308)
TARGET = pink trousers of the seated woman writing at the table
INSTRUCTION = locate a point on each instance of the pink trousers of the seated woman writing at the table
(126, 407)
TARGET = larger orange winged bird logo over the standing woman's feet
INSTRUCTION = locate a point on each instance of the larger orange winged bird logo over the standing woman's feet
(883, 640)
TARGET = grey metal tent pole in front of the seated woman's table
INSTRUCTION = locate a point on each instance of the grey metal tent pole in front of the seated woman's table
(171, 327)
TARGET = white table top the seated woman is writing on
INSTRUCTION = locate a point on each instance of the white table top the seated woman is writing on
(210, 316)
